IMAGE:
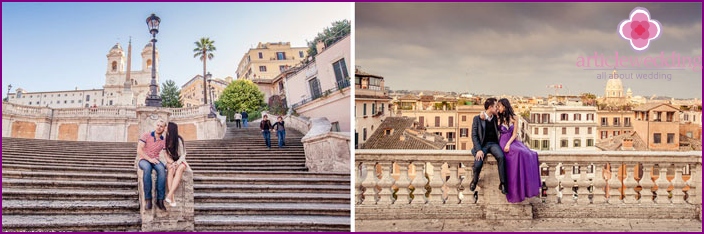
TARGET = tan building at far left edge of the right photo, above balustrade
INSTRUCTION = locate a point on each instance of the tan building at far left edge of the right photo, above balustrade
(372, 105)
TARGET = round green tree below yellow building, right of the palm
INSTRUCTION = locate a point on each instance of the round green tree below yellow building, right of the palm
(242, 95)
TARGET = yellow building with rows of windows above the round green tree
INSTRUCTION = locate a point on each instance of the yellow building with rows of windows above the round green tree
(268, 60)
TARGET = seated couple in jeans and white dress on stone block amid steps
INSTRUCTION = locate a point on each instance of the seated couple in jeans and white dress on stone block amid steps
(170, 146)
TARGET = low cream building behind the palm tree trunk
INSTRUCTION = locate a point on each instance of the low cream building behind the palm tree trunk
(192, 91)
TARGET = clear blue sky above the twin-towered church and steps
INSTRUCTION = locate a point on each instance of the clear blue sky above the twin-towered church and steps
(60, 46)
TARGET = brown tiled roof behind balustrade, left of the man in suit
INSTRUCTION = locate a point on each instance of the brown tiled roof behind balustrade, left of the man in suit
(402, 136)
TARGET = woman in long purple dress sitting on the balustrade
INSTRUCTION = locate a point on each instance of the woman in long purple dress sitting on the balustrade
(522, 166)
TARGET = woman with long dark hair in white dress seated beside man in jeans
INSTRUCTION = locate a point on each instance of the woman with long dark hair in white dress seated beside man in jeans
(176, 160)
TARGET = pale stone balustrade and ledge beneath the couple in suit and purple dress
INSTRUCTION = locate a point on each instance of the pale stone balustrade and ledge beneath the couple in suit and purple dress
(586, 187)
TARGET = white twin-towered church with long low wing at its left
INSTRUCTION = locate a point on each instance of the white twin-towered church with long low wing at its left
(123, 87)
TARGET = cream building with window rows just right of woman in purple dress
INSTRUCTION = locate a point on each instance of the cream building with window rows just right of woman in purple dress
(561, 128)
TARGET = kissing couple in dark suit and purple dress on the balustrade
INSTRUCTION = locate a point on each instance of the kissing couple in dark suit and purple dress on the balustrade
(495, 131)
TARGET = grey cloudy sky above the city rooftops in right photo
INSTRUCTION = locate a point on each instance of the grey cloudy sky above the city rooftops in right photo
(519, 48)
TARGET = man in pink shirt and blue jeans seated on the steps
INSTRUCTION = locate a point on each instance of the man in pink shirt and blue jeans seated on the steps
(150, 145)
